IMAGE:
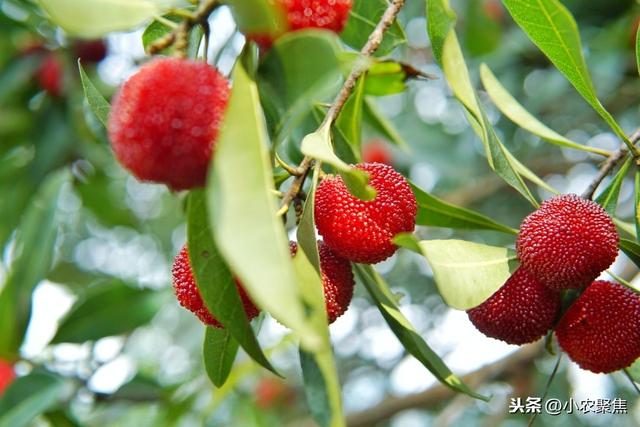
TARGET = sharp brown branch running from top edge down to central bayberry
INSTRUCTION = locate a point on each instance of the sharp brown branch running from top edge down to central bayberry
(362, 64)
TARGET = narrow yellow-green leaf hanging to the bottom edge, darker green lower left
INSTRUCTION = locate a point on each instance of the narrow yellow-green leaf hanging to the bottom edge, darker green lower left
(322, 385)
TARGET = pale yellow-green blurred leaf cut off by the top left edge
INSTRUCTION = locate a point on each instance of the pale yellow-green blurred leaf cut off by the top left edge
(97, 18)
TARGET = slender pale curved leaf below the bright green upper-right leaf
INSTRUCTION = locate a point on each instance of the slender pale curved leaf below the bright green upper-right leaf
(510, 107)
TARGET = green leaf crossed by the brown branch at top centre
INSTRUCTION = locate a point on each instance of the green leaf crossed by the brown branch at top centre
(364, 16)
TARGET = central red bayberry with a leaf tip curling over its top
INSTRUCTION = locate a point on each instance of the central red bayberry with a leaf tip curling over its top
(361, 231)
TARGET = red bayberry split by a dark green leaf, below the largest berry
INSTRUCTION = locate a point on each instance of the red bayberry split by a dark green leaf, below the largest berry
(189, 296)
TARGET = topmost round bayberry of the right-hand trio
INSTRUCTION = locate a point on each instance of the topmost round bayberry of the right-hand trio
(567, 242)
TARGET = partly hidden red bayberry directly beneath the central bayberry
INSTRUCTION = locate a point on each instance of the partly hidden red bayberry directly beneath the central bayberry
(337, 280)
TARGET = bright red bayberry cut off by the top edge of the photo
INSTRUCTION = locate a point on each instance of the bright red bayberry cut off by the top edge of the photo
(330, 15)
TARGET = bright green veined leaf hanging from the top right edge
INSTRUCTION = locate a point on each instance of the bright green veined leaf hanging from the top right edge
(551, 27)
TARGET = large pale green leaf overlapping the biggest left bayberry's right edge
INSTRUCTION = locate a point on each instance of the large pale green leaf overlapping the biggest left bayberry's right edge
(243, 208)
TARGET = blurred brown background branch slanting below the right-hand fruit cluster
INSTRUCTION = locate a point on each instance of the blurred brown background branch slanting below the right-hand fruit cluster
(514, 363)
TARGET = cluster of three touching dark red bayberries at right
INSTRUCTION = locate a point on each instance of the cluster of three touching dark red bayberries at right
(565, 245)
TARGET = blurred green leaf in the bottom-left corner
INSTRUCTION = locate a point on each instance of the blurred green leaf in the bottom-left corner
(28, 397)
